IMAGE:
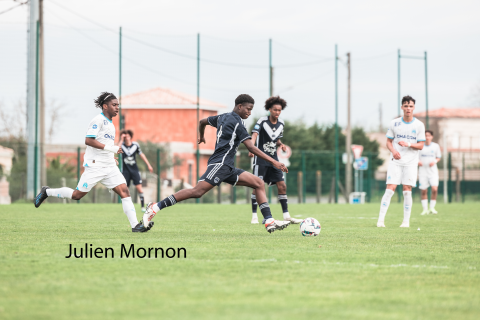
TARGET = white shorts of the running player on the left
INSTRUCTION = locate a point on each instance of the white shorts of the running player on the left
(110, 177)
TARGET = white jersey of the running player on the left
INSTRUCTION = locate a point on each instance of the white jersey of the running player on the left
(102, 129)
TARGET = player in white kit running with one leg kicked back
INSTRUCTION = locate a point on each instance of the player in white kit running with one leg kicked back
(100, 163)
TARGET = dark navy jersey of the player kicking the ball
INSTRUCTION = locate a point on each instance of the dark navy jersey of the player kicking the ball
(231, 132)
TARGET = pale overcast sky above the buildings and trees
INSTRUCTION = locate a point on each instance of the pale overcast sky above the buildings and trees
(159, 48)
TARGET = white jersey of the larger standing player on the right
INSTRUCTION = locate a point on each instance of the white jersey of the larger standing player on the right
(413, 132)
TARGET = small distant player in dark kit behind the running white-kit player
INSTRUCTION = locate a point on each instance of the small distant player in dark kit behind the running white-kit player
(129, 168)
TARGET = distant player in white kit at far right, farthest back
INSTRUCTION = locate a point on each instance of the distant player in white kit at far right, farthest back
(428, 172)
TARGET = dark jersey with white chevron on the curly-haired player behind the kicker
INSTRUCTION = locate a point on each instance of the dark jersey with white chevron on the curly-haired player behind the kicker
(268, 135)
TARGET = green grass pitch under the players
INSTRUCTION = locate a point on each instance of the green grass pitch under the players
(235, 270)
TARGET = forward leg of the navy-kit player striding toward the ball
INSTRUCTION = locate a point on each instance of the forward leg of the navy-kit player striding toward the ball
(243, 178)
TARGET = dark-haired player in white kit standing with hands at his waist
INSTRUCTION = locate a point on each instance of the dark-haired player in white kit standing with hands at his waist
(405, 138)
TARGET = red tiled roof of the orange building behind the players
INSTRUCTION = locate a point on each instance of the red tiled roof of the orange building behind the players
(163, 96)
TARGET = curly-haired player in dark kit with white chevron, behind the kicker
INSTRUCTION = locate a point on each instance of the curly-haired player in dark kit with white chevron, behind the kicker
(267, 133)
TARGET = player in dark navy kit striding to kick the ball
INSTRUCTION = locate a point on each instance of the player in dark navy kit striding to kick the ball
(231, 132)
